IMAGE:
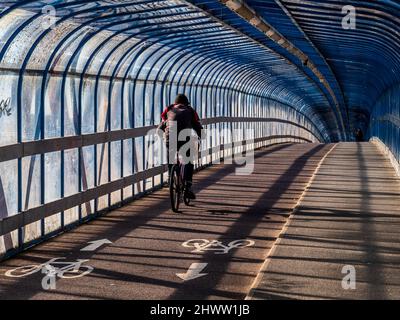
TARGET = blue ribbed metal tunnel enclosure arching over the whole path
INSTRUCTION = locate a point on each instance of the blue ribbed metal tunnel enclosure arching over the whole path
(104, 66)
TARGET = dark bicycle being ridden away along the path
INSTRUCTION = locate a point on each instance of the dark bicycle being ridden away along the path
(177, 185)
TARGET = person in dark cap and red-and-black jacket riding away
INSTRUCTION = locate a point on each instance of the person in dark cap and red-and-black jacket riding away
(185, 117)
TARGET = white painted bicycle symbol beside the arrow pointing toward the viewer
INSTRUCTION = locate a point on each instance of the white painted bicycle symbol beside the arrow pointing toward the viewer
(202, 245)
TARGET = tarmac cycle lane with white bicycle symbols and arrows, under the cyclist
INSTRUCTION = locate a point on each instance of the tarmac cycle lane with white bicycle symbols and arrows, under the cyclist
(211, 250)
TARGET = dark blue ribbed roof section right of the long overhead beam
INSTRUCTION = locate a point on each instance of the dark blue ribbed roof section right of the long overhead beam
(365, 60)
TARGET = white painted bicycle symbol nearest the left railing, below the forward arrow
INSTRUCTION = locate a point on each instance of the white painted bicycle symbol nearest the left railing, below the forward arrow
(63, 269)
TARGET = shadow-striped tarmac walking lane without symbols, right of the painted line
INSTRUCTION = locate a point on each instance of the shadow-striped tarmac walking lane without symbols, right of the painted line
(343, 241)
